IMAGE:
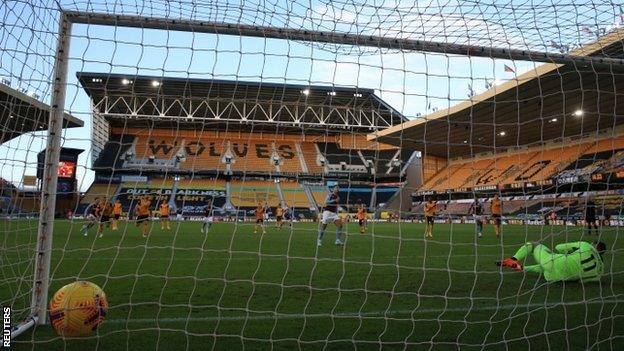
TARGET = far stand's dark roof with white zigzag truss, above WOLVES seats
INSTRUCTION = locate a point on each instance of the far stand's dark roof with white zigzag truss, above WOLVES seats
(194, 103)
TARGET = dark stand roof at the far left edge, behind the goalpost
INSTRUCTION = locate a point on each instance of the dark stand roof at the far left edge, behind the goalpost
(21, 113)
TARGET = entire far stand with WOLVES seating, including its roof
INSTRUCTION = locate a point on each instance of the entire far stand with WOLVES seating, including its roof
(226, 152)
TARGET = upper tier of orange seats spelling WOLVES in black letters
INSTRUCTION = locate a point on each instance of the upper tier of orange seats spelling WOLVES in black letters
(190, 151)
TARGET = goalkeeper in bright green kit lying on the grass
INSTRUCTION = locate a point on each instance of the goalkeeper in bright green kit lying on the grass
(570, 261)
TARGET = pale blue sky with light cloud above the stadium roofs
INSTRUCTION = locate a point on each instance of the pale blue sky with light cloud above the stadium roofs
(414, 83)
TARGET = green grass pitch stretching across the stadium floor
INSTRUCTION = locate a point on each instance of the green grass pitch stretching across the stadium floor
(232, 289)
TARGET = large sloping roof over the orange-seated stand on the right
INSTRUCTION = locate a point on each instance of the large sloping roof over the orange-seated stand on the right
(549, 103)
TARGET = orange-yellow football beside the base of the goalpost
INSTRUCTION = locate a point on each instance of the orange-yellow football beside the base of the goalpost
(77, 309)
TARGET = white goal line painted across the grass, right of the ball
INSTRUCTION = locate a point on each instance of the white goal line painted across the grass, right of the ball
(282, 316)
